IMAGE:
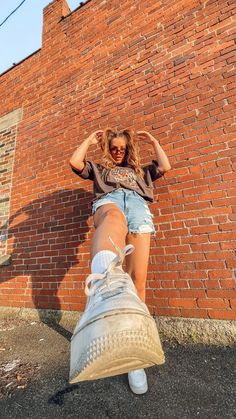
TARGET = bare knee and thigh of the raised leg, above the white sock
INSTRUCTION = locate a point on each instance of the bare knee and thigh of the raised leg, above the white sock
(108, 221)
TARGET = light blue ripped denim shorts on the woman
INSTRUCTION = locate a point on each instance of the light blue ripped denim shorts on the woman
(133, 206)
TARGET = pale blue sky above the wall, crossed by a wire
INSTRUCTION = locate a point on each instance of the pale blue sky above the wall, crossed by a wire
(21, 34)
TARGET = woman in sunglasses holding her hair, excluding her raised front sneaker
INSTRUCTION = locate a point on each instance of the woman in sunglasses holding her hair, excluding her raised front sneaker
(122, 189)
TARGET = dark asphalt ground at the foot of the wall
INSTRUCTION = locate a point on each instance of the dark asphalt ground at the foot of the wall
(196, 381)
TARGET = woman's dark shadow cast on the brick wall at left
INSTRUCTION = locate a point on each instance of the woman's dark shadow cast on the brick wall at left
(45, 245)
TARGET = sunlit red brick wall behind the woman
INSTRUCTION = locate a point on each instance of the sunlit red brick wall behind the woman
(167, 67)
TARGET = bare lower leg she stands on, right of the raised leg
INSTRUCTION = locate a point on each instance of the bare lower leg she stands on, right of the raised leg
(137, 262)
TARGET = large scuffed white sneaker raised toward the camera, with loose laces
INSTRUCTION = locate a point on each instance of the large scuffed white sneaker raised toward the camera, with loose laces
(116, 333)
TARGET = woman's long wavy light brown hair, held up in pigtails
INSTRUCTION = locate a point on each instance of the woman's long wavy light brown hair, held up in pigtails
(131, 159)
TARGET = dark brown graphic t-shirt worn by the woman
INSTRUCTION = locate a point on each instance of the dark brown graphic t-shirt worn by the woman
(106, 180)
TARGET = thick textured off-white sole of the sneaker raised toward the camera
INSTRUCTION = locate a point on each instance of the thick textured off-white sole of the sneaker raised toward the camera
(130, 341)
